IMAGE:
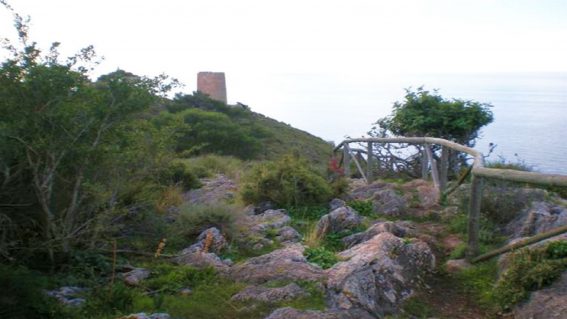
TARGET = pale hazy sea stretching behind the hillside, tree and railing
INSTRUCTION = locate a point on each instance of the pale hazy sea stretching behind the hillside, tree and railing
(530, 109)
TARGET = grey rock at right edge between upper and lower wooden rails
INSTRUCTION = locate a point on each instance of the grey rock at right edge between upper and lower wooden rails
(538, 218)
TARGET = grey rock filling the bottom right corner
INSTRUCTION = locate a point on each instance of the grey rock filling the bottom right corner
(548, 303)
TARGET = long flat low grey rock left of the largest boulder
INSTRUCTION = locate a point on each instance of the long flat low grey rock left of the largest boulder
(270, 295)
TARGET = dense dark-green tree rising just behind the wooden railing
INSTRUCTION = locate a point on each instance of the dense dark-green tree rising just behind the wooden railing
(424, 113)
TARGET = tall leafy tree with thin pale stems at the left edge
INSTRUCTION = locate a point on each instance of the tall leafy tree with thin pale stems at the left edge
(59, 131)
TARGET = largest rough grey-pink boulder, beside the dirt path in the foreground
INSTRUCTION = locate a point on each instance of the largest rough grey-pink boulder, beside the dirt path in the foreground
(378, 274)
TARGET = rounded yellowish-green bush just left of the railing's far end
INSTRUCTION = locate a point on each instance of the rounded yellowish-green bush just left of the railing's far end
(287, 182)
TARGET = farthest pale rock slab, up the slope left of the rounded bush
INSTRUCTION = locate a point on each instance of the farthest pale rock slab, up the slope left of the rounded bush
(214, 190)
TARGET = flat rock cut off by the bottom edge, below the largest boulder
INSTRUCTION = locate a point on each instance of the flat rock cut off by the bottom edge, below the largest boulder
(291, 313)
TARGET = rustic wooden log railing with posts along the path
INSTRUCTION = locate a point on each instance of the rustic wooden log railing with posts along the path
(439, 174)
